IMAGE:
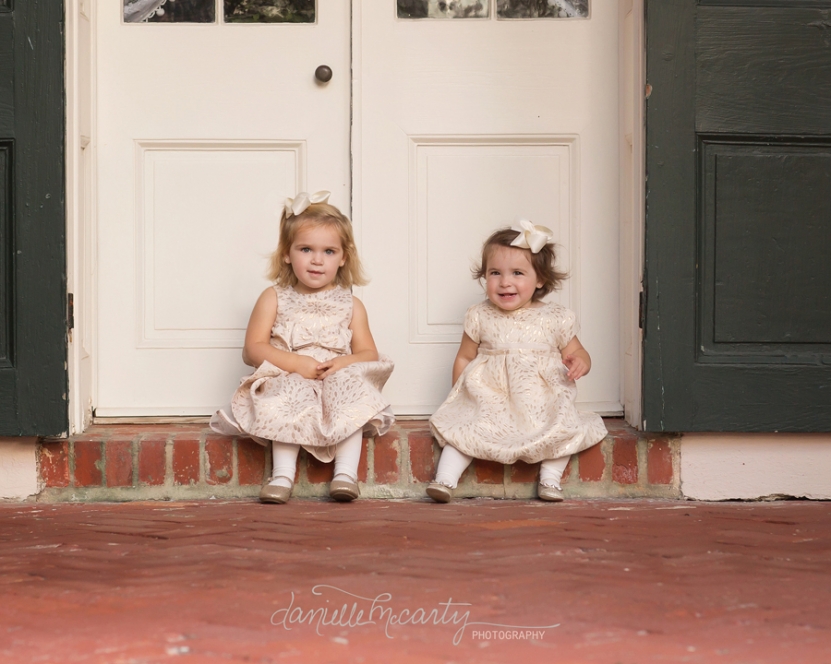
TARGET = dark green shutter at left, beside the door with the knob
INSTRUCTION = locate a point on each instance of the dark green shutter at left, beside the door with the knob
(33, 376)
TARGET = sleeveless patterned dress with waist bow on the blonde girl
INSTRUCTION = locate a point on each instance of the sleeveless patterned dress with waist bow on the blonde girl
(272, 404)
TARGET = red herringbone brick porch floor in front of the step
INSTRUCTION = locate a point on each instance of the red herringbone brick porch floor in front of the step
(213, 581)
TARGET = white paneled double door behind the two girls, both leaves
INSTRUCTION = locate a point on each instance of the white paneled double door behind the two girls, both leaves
(431, 132)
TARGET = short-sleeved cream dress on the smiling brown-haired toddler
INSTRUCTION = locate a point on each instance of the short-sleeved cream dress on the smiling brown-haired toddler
(514, 401)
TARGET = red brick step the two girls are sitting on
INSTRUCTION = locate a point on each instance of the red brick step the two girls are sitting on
(181, 462)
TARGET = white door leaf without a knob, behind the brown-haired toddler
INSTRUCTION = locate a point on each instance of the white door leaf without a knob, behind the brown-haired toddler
(467, 125)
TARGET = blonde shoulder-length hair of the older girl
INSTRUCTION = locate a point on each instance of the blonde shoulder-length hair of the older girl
(351, 273)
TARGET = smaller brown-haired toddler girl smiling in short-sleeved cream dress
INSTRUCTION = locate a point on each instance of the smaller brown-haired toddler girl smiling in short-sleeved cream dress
(514, 375)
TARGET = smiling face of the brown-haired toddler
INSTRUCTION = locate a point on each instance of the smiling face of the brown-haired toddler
(510, 280)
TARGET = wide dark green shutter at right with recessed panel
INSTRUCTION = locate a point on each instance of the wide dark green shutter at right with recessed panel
(738, 221)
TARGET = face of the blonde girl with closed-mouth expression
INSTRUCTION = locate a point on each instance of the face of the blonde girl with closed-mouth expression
(315, 257)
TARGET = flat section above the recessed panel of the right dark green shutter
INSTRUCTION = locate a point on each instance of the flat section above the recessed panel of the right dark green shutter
(763, 69)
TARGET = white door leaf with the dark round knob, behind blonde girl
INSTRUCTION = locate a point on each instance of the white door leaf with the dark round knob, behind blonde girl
(204, 130)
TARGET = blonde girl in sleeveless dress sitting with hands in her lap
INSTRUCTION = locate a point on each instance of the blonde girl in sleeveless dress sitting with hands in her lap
(318, 375)
